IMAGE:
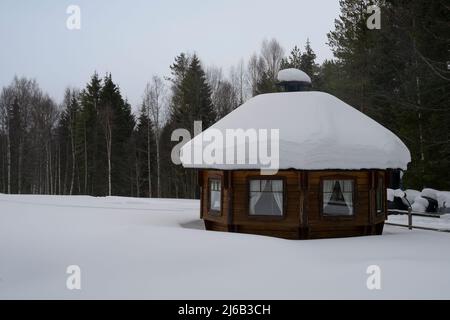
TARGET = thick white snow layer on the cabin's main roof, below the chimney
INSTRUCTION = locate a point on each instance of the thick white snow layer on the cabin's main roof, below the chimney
(316, 131)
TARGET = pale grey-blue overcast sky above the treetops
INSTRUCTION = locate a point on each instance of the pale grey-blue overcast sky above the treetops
(135, 39)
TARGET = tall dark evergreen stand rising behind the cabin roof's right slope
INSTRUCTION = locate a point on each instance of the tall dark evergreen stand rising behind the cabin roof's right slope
(398, 76)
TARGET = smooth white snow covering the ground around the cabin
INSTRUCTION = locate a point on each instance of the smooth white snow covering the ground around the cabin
(157, 249)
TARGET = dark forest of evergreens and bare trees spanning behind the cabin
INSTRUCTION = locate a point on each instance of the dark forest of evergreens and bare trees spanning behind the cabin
(92, 143)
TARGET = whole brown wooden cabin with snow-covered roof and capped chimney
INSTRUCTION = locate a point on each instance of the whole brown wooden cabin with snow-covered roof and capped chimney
(334, 167)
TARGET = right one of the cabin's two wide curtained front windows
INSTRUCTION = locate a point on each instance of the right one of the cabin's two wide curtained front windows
(338, 197)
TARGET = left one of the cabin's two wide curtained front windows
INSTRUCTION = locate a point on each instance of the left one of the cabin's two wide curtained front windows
(266, 197)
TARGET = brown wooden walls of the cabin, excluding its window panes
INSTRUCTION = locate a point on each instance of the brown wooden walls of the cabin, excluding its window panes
(303, 217)
